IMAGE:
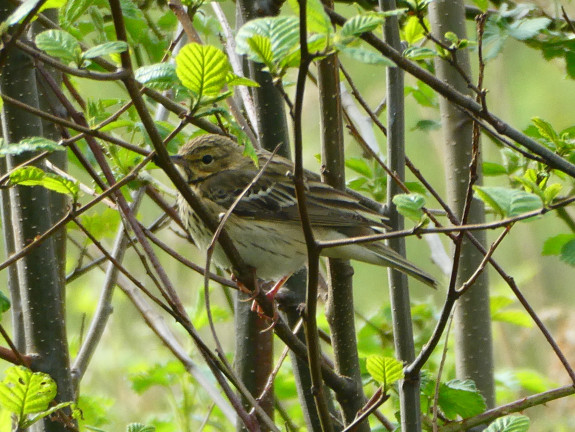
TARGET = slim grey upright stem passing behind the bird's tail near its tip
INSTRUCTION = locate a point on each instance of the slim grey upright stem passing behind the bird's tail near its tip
(398, 285)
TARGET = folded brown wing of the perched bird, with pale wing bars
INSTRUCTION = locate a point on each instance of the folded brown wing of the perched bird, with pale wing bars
(273, 198)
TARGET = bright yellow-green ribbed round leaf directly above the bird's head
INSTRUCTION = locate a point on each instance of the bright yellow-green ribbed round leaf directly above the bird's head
(202, 69)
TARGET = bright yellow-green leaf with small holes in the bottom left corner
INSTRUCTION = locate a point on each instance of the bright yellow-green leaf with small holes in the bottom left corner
(25, 392)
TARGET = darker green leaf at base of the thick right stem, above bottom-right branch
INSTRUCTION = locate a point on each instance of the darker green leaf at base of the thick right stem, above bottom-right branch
(460, 398)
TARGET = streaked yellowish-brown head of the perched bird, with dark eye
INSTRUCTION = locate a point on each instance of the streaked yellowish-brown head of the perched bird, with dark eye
(206, 155)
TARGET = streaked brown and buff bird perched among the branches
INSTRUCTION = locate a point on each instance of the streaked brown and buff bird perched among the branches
(265, 224)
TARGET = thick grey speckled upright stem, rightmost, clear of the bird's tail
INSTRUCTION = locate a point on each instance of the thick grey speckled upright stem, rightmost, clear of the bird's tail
(474, 356)
